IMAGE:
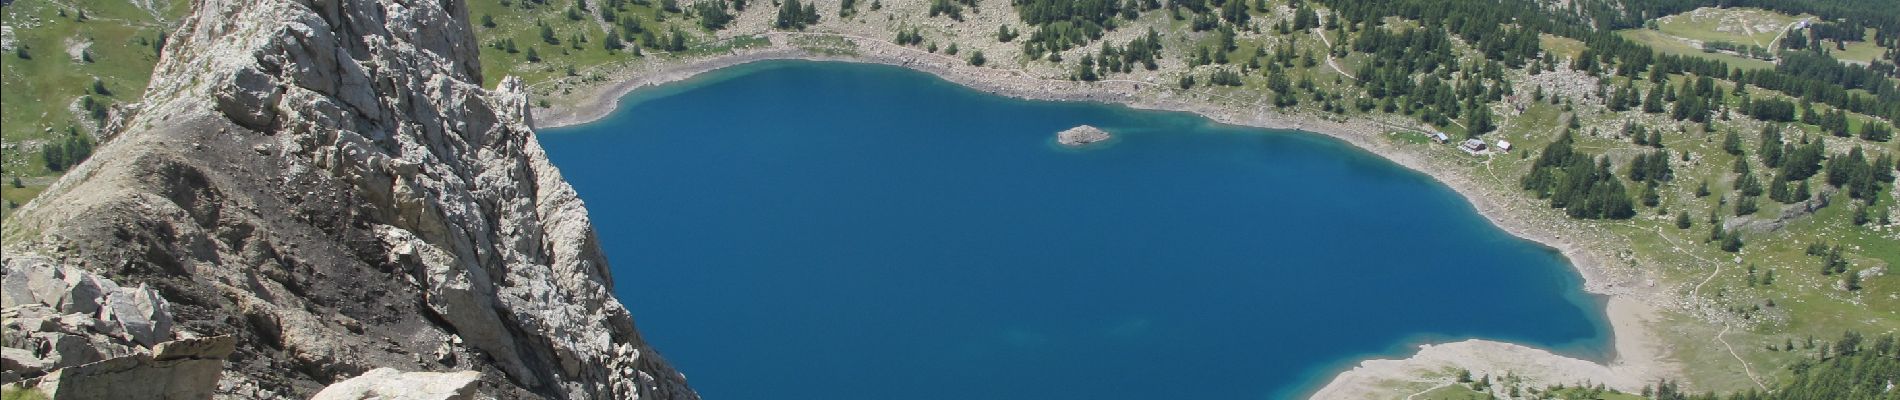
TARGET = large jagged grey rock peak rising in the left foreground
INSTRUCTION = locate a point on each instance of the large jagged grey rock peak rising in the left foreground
(328, 183)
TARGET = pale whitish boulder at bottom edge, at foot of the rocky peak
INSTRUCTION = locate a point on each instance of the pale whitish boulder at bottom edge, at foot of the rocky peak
(389, 384)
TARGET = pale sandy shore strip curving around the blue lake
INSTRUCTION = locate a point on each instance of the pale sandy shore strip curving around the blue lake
(1641, 355)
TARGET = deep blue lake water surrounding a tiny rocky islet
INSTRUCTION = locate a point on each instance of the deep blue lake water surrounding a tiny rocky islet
(854, 232)
